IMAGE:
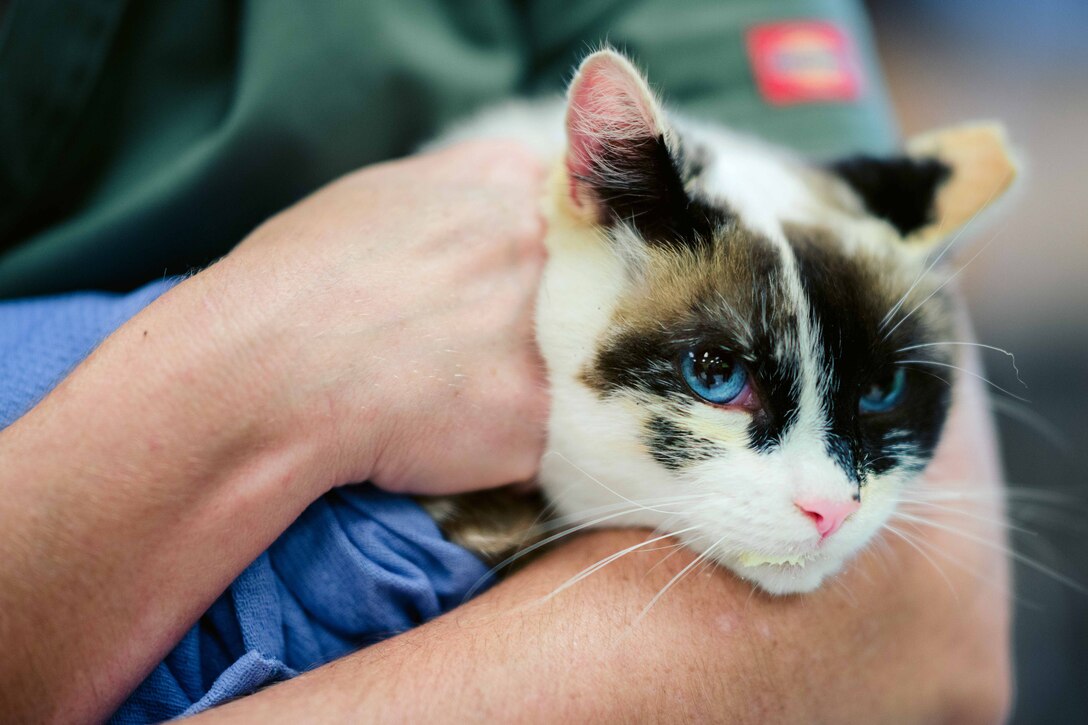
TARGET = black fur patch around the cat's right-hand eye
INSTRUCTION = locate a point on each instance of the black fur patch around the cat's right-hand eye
(848, 305)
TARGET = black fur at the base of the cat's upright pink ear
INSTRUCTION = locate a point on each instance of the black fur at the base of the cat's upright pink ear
(641, 183)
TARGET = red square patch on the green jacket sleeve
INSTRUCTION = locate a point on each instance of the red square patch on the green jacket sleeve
(805, 63)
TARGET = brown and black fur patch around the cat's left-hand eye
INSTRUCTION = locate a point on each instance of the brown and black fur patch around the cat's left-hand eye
(733, 297)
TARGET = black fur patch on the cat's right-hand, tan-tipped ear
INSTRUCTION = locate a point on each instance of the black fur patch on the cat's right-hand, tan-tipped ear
(899, 190)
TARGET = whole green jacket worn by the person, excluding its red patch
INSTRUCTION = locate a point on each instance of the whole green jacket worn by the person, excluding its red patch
(146, 139)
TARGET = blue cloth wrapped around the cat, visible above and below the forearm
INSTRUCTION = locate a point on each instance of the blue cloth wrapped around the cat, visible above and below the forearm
(357, 567)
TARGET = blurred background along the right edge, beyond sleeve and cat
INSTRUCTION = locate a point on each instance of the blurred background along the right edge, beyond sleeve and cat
(1025, 64)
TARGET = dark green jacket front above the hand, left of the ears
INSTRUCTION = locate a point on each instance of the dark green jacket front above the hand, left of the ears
(146, 139)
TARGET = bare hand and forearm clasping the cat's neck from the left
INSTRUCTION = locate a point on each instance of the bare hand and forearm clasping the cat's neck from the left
(380, 330)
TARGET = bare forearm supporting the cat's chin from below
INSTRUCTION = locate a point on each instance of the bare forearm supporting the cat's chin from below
(900, 637)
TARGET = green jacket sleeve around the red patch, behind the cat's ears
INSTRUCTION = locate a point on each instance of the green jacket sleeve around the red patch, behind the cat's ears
(695, 53)
